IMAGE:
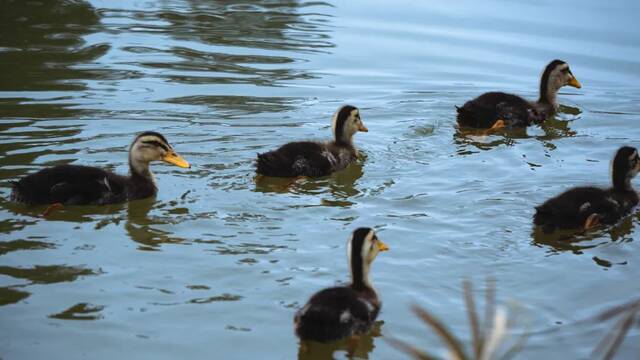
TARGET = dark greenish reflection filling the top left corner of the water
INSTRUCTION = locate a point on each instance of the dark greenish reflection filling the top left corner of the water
(42, 40)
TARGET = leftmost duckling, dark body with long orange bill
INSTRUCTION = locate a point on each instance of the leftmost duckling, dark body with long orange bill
(78, 185)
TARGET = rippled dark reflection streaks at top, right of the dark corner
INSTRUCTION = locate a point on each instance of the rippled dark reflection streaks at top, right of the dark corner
(272, 31)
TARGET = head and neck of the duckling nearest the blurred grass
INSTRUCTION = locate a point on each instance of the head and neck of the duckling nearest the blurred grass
(362, 249)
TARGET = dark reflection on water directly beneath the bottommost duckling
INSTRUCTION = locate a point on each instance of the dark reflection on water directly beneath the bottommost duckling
(353, 348)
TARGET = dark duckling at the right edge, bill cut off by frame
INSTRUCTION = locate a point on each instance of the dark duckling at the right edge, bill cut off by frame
(587, 207)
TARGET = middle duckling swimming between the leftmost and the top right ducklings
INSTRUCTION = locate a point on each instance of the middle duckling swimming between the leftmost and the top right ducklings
(309, 158)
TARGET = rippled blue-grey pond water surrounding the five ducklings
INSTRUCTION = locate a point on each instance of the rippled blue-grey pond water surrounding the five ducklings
(216, 264)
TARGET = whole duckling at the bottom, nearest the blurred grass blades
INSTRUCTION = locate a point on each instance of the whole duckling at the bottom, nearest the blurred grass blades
(343, 311)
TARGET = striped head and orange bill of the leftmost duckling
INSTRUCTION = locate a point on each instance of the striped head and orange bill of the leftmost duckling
(152, 146)
